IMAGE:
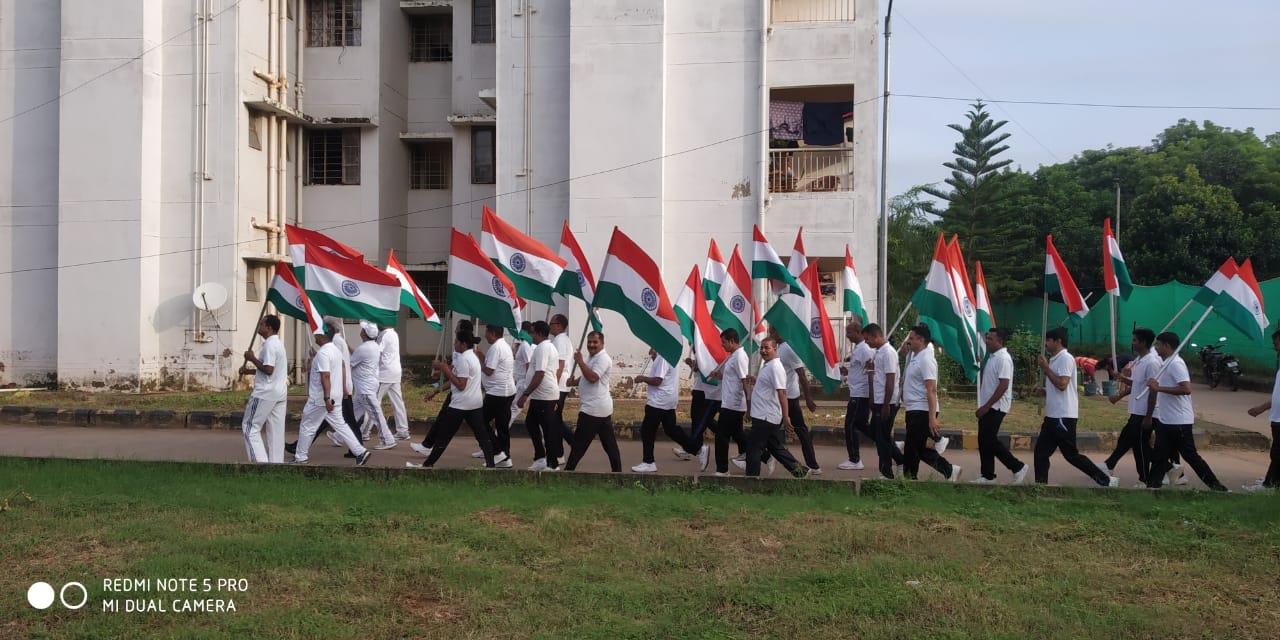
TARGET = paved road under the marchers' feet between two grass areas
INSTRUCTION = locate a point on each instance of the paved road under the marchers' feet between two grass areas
(1235, 468)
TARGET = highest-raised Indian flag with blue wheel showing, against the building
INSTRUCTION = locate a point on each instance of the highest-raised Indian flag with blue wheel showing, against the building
(529, 264)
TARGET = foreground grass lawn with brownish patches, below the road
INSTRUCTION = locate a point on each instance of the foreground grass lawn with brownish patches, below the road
(470, 555)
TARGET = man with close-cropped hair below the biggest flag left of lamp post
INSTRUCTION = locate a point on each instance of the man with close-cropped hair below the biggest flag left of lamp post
(769, 410)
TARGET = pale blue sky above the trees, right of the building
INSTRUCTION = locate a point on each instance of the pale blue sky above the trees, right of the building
(1118, 52)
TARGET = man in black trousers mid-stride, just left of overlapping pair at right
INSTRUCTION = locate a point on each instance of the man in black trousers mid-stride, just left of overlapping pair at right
(1062, 412)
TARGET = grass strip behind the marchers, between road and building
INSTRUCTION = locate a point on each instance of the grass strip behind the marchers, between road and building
(1096, 414)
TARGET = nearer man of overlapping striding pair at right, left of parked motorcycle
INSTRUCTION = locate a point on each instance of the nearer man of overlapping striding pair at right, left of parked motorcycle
(1171, 405)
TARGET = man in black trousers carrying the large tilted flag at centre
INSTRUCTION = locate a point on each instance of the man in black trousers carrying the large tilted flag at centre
(596, 414)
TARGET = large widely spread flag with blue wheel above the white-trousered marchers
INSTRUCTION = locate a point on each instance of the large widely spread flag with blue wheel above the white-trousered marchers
(351, 289)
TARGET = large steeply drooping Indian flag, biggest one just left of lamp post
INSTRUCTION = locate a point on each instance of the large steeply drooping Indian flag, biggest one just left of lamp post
(802, 322)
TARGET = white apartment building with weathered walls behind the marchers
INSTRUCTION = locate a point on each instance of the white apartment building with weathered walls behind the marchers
(150, 147)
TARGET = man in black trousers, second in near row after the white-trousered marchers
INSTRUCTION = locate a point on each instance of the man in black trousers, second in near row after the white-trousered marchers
(542, 395)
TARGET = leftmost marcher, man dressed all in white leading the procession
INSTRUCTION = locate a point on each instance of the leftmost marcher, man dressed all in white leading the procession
(271, 395)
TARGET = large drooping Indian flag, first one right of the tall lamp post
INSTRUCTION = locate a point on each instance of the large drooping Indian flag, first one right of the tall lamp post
(940, 308)
